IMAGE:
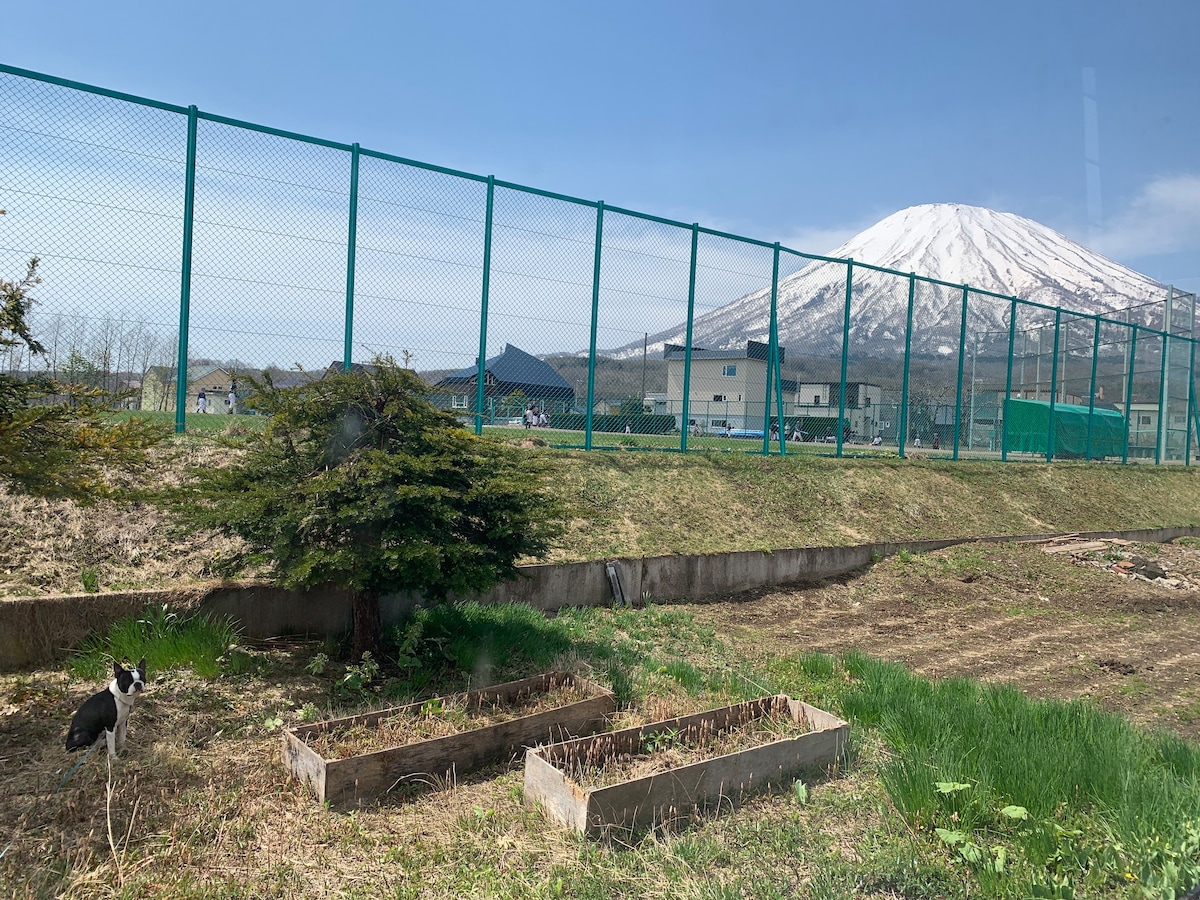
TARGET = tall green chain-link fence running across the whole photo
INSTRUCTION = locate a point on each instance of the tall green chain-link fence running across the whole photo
(184, 253)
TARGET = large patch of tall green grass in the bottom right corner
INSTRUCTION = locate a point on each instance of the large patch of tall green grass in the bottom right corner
(1083, 793)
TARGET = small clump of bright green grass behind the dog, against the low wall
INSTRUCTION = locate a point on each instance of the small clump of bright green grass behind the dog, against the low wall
(167, 639)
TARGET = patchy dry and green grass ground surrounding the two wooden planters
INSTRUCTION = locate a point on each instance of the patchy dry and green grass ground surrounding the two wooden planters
(951, 789)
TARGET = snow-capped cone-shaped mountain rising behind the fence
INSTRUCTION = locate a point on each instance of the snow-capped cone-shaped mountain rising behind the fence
(993, 251)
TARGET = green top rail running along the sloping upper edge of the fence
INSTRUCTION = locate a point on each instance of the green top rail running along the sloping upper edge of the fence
(567, 199)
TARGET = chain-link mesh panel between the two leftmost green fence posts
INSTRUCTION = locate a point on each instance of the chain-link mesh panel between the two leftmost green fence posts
(269, 250)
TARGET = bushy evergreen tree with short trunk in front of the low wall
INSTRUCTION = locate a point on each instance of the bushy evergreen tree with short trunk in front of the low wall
(359, 483)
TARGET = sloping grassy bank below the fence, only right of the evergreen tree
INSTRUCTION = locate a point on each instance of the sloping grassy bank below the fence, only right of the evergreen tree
(651, 505)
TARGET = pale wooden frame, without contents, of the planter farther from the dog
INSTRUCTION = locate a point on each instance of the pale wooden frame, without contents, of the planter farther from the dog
(667, 796)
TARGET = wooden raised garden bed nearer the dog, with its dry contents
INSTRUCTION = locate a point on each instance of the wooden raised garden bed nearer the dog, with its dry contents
(363, 757)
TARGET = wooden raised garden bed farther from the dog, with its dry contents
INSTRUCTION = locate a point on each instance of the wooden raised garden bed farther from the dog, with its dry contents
(656, 775)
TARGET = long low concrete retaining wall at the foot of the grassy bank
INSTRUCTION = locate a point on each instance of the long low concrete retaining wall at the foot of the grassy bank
(34, 631)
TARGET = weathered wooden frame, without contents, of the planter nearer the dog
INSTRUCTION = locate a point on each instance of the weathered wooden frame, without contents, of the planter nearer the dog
(368, 776)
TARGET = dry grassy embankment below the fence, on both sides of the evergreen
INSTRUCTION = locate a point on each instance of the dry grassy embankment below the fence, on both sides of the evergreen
(649, 505)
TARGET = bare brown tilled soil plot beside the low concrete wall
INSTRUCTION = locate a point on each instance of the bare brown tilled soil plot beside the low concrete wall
(1054, 626)
